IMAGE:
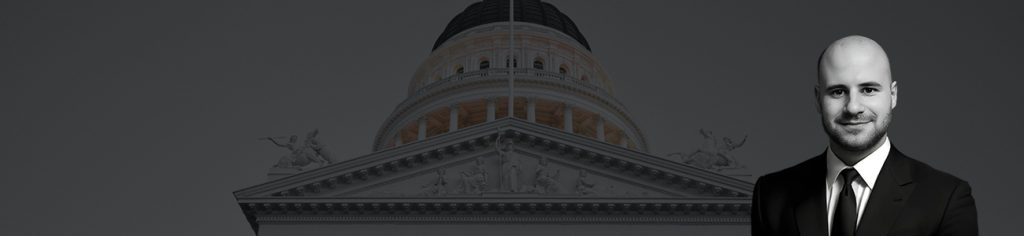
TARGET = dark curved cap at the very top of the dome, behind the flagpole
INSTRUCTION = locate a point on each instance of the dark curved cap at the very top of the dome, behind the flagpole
(489, 12)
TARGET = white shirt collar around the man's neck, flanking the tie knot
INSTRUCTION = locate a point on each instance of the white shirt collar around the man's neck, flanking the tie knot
(868, 168)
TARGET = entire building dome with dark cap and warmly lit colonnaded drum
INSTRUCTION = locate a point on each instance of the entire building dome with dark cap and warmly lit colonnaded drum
(464, 82)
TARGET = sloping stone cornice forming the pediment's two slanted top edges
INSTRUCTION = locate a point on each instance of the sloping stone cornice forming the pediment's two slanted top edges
(656, 170)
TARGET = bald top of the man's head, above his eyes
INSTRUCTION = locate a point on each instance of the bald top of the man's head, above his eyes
(855, 57)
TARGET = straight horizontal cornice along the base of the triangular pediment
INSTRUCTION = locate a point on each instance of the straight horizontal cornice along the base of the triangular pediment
(498, 211)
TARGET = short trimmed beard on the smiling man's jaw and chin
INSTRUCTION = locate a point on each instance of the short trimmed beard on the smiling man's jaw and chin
(849, 141)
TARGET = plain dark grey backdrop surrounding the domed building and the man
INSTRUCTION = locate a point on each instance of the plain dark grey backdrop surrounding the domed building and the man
(133, 119)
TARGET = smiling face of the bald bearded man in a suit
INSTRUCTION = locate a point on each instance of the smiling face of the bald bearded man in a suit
(857, 97)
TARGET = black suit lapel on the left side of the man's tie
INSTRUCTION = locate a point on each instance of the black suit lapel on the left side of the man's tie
(812, 212)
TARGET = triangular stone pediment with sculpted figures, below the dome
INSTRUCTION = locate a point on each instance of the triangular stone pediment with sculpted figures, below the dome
(540, 163)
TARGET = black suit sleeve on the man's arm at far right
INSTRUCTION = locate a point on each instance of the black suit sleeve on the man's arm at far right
(961, 217)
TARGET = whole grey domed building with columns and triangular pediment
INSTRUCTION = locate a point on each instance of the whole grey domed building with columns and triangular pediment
(502, 140)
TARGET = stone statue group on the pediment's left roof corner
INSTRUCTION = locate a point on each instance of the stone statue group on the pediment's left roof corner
(311, 155)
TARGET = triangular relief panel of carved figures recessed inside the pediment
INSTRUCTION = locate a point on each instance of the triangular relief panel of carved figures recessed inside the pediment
(509, 171)
